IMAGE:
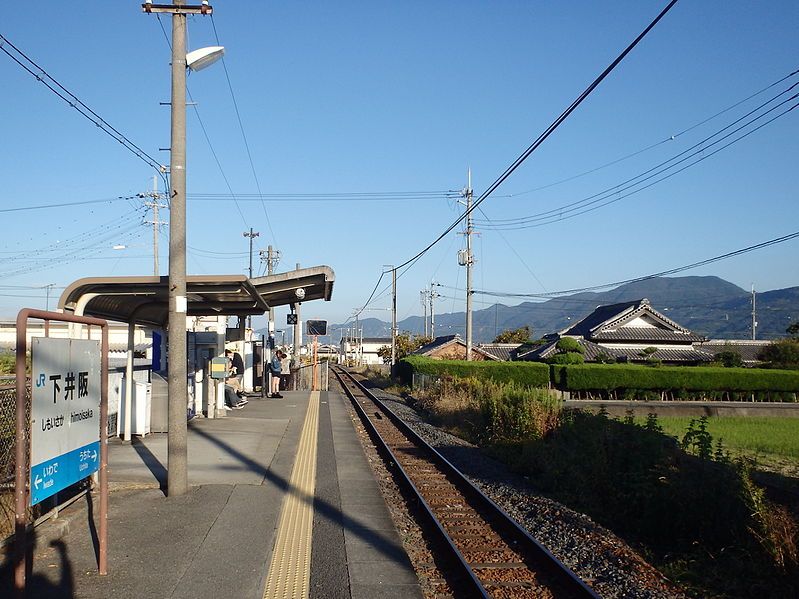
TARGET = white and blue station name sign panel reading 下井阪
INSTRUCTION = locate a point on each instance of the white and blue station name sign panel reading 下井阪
(65, 414)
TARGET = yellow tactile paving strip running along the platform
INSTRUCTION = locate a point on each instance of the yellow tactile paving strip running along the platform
(290, 569)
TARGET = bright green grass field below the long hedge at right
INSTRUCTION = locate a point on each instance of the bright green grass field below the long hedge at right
(772, 442)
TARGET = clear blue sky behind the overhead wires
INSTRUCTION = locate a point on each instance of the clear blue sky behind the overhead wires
(378, 97)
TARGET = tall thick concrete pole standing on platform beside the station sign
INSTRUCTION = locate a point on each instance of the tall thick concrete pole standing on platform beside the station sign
(177, 454)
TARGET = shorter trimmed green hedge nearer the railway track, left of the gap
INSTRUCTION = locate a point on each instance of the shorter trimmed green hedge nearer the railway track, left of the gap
(528, 374)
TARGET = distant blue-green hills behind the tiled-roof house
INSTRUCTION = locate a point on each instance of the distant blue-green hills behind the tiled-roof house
(708, 306)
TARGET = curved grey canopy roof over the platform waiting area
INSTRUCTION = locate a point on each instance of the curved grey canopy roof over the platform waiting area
(145, 300)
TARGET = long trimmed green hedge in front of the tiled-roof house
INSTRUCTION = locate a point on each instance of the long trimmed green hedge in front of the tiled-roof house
(606, 377)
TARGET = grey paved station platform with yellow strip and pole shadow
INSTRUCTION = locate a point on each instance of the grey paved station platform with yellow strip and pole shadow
(282, 503)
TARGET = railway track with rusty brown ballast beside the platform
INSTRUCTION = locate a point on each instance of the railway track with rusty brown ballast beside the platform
(490, 554)
